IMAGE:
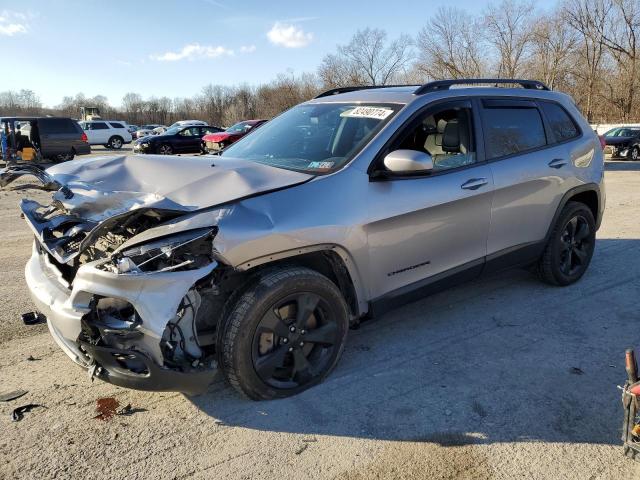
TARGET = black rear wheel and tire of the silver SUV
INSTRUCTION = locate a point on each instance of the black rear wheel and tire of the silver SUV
(569, 249)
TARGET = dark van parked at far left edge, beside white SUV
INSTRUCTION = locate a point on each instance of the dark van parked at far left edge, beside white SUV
(56, 138)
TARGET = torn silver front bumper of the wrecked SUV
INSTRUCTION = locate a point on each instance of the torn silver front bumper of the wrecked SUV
(156, 297)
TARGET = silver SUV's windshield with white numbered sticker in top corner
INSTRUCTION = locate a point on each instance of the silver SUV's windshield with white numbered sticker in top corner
(315, 138)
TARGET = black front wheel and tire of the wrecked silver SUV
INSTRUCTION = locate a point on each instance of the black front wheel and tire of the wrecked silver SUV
(284, 334)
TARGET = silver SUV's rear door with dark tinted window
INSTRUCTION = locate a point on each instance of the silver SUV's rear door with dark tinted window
(531, 170)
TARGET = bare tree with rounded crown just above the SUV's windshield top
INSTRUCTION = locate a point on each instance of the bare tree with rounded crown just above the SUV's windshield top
(366, 60)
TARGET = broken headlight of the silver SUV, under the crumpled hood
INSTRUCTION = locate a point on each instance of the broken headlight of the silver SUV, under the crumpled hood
(184, 251)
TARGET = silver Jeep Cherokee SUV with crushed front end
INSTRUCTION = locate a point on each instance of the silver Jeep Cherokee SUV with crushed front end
(159, 274)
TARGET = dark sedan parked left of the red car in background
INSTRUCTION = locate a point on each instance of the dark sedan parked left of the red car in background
(175, 140)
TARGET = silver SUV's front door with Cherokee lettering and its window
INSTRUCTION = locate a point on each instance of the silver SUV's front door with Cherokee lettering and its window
(428, 226)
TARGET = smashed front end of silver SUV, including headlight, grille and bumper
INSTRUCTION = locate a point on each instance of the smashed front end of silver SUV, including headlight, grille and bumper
(135, 315)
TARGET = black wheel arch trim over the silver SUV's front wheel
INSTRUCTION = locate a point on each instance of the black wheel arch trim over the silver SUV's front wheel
(332, 261)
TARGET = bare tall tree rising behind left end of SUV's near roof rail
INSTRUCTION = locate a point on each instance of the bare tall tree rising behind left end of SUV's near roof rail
(448, 46)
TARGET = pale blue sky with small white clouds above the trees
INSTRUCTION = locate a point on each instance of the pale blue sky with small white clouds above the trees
(175, 47)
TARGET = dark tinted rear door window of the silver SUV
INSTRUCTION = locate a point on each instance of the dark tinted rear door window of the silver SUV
(512, 130)
